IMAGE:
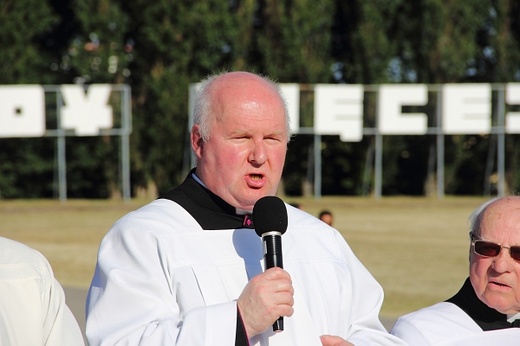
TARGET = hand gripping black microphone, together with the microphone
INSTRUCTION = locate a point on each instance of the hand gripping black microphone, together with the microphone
(268, 295)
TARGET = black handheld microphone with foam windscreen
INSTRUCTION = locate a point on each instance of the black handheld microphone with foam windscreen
(270, 220)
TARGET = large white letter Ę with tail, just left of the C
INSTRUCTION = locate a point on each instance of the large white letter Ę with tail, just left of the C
(338, 109)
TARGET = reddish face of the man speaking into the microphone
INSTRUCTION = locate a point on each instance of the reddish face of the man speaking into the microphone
(243, 159)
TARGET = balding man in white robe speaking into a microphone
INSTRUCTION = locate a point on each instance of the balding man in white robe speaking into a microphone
(186, 269)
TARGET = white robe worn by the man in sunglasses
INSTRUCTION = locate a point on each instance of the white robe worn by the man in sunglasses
(445, 324)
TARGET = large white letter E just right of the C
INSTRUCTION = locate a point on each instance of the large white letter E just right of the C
(466, 108)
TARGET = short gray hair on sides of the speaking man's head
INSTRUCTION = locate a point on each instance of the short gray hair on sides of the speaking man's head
(203, 104)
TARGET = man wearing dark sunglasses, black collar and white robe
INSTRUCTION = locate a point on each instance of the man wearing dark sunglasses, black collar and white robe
(486, 310)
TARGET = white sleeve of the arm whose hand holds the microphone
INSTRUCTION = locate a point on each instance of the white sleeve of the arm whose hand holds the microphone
(132, 299)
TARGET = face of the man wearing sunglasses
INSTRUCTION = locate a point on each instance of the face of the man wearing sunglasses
(496, 280)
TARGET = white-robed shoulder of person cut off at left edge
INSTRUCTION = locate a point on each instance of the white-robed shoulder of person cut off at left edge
(33, 311)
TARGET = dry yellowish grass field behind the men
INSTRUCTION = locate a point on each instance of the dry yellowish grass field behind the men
(417, 248)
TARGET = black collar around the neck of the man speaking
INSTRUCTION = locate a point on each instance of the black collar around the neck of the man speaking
(208, 209)
